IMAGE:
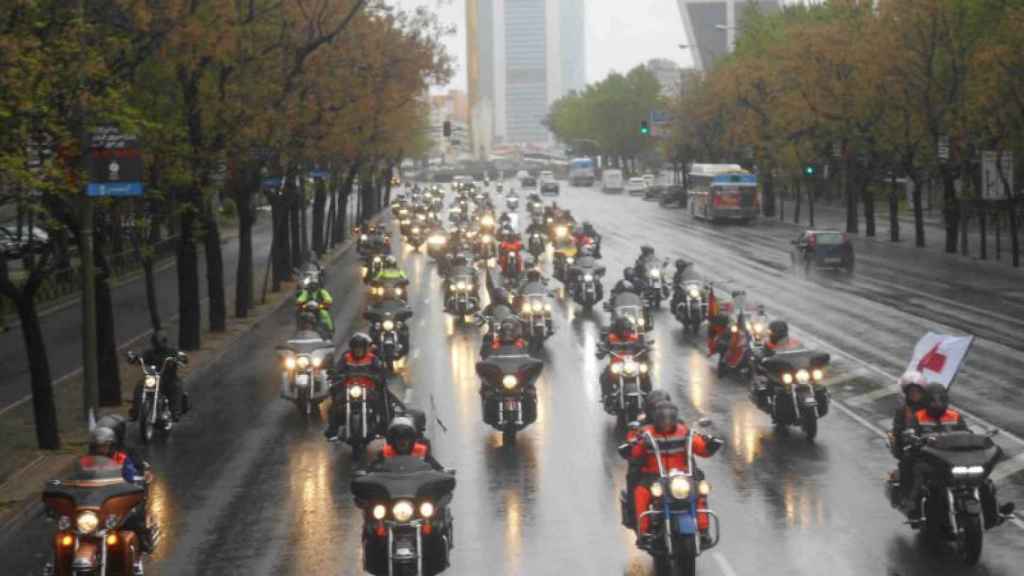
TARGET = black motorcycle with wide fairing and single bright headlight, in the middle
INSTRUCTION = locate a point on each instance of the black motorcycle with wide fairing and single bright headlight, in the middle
(508, 394)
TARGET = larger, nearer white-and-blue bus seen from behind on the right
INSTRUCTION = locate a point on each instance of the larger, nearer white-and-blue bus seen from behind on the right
(722, 192)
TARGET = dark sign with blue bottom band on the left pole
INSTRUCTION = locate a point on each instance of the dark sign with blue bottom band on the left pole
(115, 164)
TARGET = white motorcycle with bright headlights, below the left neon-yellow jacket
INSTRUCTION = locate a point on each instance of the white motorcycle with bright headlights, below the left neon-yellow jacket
(304, 380)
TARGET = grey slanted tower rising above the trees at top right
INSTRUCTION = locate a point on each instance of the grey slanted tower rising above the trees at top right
(712, 25)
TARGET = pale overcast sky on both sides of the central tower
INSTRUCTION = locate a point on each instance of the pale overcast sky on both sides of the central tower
(621, 34)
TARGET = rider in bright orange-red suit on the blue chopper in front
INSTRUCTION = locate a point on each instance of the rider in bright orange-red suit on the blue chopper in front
(671, 436)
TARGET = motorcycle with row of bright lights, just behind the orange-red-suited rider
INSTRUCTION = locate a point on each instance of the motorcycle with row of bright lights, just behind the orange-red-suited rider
(628, 373)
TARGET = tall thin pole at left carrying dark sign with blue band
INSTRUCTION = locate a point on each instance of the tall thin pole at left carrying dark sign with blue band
(91, 389)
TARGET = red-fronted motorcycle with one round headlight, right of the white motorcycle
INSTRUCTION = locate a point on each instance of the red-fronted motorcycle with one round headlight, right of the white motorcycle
(357, 400)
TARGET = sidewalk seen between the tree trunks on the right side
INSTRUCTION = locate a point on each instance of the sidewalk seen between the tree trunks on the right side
(834, 217)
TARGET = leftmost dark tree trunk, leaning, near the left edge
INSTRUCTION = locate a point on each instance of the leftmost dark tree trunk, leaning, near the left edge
(44, 408)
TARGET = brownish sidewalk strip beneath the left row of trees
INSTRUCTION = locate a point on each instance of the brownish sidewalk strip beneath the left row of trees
(24, 470)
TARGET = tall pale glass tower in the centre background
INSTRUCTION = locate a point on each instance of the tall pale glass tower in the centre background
(524, 56)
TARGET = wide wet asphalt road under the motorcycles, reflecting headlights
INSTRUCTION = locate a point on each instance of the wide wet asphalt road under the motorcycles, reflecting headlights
(247, 486)
